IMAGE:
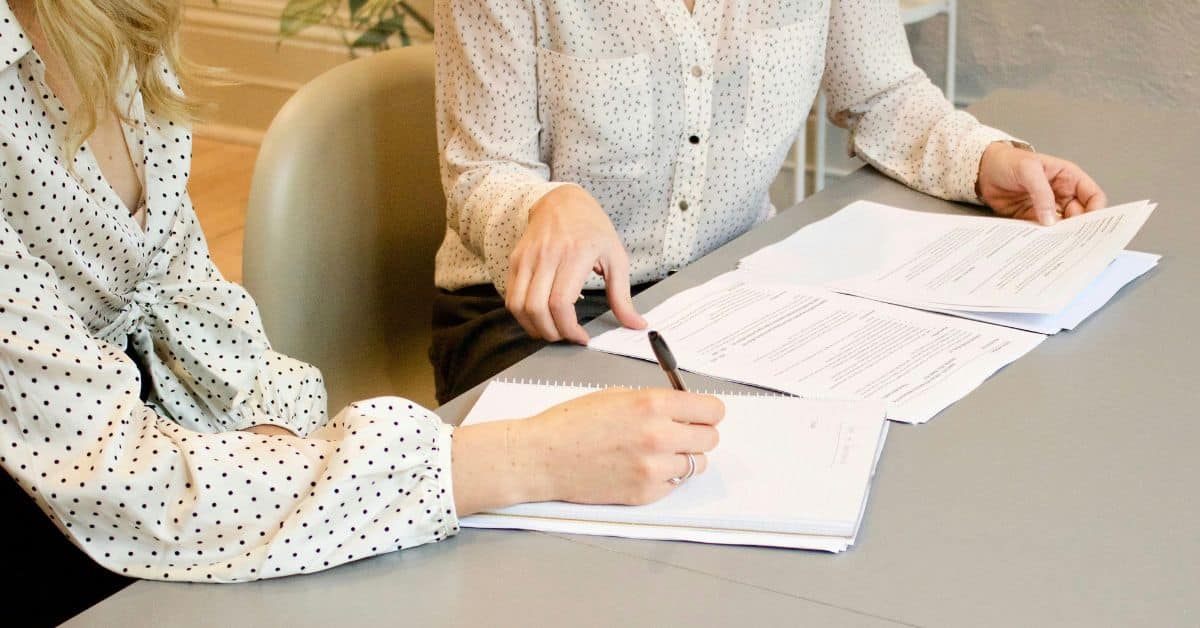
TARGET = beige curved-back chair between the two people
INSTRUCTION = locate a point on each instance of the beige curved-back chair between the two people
(346, 213)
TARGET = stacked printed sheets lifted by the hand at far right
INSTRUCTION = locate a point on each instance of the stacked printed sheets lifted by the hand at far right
(1042, 279)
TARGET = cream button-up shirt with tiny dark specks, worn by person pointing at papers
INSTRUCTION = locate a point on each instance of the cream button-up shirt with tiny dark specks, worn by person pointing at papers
(677, 123)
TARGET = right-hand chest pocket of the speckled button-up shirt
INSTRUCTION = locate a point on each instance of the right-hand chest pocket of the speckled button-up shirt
(785, 67)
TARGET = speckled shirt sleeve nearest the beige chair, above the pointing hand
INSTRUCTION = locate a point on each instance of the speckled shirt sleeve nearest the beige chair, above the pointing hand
(488, 125)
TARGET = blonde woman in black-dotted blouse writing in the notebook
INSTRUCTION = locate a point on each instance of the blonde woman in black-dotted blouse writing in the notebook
(143, 409)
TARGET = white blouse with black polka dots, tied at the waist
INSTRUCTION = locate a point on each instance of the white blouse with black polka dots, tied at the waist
(145, 468)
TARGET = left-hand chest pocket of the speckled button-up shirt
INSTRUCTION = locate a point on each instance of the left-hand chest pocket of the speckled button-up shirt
(597, 116)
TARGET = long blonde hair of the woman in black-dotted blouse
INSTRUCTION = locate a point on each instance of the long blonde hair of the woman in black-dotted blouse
(99, 39)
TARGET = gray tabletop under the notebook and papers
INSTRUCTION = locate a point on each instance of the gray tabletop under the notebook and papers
(1061, 493)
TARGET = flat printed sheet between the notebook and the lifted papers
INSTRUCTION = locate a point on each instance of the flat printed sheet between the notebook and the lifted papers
(819, 344)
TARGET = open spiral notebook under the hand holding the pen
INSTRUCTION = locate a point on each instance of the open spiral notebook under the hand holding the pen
(789, 473)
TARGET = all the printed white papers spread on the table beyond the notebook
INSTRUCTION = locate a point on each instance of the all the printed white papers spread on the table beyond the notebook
(845, 308)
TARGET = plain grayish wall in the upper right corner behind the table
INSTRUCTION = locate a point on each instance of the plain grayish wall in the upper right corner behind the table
(1131, 51)
